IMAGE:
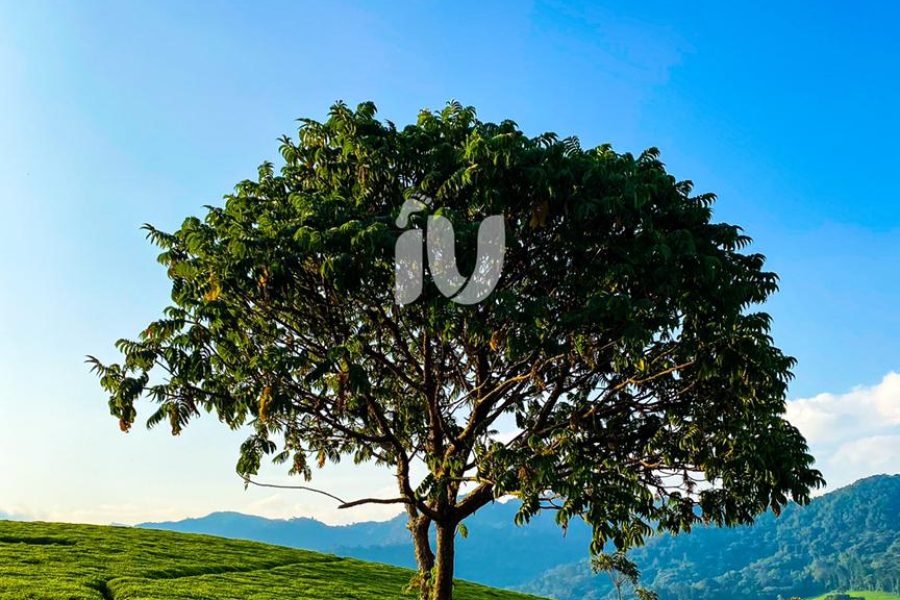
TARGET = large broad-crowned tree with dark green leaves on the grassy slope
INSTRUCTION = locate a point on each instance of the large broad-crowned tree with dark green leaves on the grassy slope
(620, 346)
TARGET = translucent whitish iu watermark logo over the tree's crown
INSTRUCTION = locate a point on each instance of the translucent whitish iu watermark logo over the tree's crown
(439, 242)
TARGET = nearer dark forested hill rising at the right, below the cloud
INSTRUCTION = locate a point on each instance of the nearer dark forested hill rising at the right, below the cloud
(848, 539)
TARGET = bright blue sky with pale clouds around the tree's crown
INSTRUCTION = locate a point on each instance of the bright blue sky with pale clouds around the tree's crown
(116, 114)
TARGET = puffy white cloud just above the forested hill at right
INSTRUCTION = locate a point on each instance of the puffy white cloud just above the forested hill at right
(855, 434)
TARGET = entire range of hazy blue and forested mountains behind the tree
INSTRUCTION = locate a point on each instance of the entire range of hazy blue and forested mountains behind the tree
(847, 539)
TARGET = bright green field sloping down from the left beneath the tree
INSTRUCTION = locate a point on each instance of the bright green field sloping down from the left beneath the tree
(54, 561)
